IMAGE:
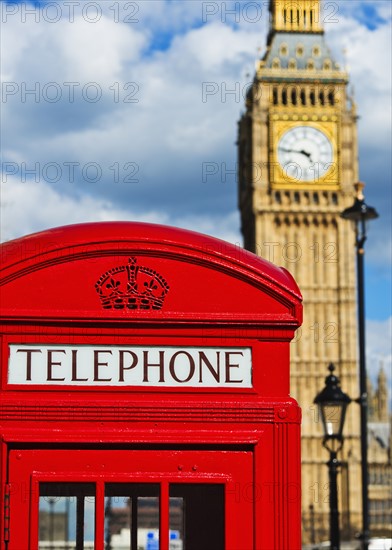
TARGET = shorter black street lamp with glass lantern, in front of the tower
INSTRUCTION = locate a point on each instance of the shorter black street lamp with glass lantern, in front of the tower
(332, 403)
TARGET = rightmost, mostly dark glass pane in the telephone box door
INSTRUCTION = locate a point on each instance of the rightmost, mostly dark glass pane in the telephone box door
(197, 513)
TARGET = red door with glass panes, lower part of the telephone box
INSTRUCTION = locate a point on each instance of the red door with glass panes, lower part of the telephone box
(130, 500)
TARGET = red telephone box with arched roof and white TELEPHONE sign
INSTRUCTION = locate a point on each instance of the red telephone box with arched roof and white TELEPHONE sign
(145, 393)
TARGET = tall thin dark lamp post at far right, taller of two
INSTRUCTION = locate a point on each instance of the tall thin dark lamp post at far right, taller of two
(360, 213)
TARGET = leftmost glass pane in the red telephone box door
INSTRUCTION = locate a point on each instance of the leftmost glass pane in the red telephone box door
(66, 516)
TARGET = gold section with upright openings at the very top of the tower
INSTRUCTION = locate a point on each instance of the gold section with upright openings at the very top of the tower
(296, 15)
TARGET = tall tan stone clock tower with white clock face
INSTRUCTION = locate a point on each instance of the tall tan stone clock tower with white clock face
(298, 162)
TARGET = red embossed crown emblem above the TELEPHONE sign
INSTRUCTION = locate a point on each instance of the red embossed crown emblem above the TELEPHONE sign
(132, 287)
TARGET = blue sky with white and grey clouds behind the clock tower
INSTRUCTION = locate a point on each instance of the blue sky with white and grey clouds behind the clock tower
(118, 109)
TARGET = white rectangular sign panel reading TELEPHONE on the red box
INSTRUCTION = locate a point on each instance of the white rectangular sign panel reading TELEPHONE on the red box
(129, 366)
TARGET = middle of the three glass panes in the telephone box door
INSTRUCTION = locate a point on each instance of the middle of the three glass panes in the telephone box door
(131, 516)
